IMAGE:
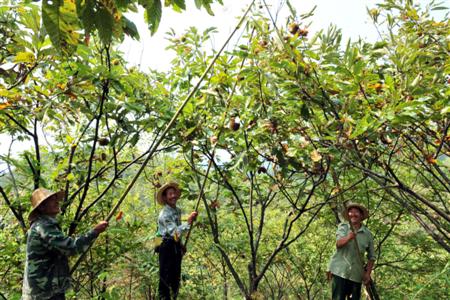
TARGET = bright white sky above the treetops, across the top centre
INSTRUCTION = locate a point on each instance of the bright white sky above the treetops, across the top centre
(349, 15)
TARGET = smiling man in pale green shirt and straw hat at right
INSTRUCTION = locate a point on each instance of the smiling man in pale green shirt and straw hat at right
(353, 240)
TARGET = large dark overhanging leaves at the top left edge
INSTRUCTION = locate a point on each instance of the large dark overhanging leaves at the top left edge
(66, 20)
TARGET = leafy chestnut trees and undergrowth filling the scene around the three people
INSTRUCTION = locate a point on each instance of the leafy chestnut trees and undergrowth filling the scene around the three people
(291, 124)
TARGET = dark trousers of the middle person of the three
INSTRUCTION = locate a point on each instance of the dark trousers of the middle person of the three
(170, 255)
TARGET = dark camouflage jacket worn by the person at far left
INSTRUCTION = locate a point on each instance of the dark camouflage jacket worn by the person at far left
(46, 266)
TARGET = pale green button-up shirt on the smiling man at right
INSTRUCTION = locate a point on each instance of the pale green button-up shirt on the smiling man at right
(345, 262)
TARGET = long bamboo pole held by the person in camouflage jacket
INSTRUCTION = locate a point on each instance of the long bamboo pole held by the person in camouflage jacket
(154, 147)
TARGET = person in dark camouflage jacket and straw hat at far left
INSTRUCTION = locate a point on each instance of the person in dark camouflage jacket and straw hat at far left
(47, 273)
